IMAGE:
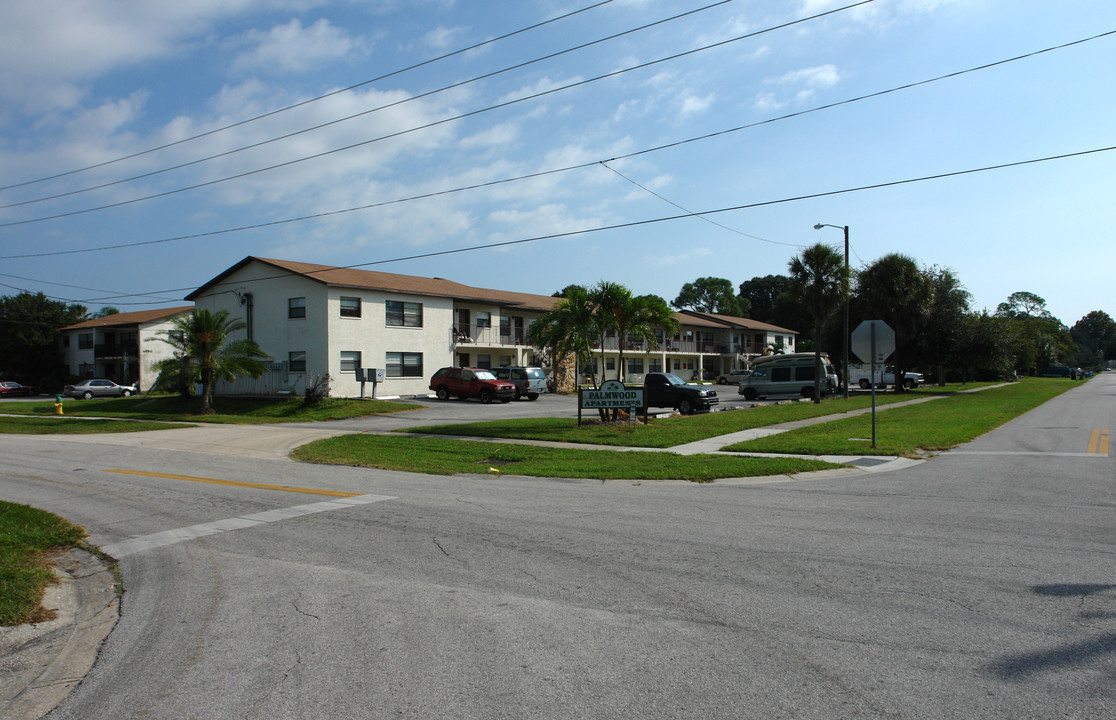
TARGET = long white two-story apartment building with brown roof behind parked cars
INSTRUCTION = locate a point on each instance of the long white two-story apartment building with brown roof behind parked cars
(316, 320)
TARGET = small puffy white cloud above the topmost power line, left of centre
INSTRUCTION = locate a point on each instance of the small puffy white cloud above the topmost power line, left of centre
(292, 49)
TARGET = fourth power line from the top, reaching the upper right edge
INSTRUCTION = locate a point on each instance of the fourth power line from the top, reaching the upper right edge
(560, 170)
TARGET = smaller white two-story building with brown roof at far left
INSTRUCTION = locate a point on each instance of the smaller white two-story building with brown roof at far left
(117, 347)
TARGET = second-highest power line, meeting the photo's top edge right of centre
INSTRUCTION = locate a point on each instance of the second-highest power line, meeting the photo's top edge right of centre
(363, 113)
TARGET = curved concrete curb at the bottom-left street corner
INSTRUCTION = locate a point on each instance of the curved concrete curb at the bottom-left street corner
(41, 664)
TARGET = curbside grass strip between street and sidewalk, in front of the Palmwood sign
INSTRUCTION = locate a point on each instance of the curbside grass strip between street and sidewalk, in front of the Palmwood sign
(450, 457)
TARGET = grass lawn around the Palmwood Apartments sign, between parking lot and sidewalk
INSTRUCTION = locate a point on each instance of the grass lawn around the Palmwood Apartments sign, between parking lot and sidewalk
(672, 431)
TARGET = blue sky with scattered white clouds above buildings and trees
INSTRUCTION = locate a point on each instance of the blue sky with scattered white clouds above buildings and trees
(89, 83)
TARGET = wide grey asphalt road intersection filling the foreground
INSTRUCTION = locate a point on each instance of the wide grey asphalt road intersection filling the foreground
(982, 584)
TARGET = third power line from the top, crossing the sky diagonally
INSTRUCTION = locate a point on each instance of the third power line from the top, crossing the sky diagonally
(436, 123)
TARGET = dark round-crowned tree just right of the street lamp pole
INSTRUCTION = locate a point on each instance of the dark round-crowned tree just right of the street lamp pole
(896, 291)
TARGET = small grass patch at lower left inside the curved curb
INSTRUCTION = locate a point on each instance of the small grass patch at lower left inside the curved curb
(27, 539)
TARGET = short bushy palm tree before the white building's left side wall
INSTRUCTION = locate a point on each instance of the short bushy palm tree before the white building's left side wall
(205, 353)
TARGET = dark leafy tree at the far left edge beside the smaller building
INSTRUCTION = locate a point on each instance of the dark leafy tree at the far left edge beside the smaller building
(30, 339)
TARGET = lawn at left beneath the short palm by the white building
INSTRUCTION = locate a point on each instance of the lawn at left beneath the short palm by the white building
(229, 410)
